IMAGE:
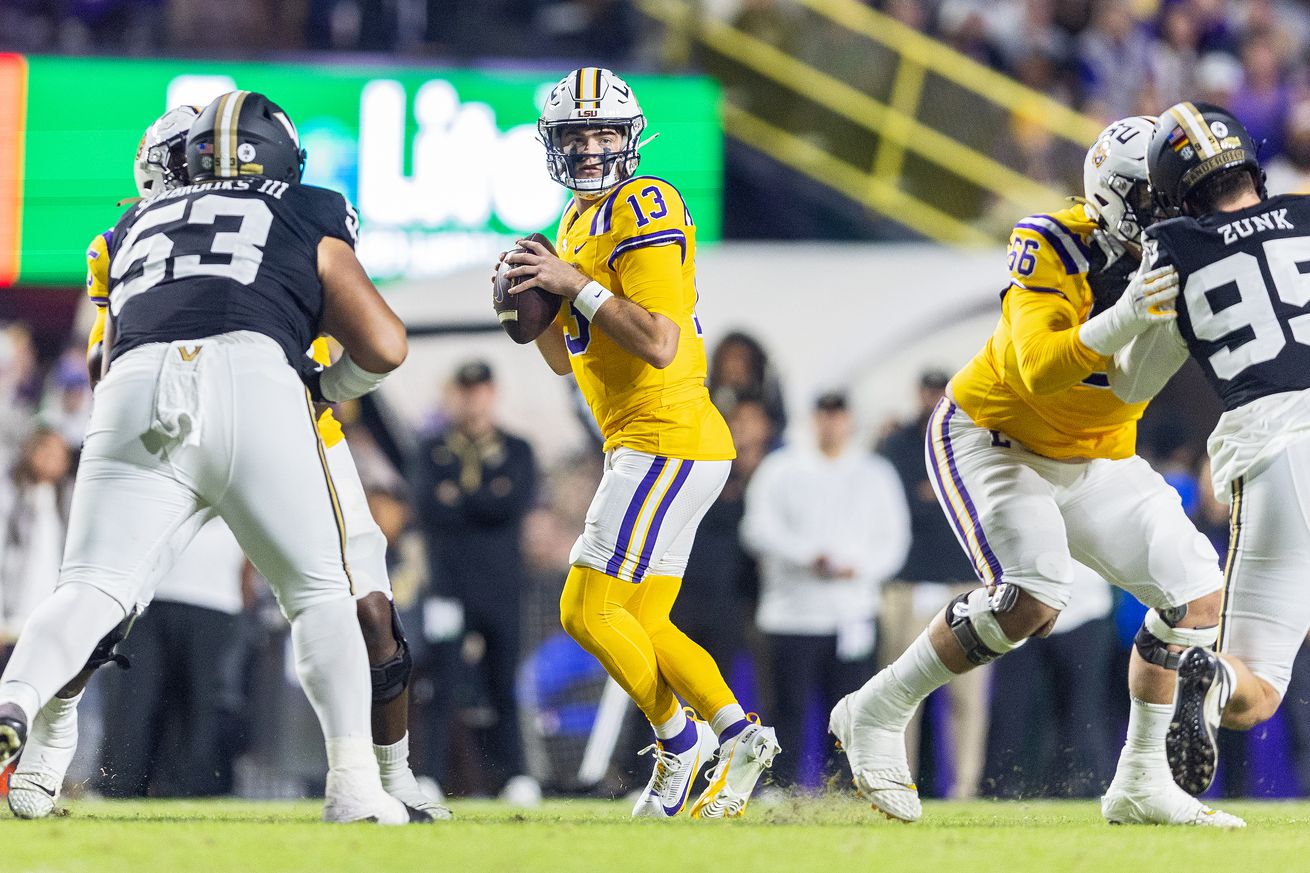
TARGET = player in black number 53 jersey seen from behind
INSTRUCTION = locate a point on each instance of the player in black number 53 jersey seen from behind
(215, 293)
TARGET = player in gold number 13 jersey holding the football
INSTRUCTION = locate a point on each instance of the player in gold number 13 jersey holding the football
(628, 331)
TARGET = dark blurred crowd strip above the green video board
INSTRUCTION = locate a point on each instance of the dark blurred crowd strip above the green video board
(599, 29)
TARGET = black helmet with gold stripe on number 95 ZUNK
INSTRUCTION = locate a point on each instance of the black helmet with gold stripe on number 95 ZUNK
(1194, 142)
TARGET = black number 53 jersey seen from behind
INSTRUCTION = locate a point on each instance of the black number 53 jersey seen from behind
(221, 256)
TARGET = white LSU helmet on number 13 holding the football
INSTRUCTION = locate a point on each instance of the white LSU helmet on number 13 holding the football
(591, 98)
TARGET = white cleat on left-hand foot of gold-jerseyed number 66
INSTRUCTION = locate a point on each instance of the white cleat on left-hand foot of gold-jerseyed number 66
(882, 779)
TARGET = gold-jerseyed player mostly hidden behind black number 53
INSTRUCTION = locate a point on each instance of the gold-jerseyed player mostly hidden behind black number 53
(39, 781)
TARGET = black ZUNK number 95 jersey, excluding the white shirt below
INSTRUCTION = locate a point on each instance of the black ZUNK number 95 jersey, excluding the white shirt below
(1245, 302)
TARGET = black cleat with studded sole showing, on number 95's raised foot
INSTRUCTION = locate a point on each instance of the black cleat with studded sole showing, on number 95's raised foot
(1191, 745)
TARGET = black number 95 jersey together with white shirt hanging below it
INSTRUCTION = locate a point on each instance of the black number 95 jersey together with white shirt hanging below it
(1245, 315)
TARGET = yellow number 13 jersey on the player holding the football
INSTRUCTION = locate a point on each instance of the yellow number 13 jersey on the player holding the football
(640, 242)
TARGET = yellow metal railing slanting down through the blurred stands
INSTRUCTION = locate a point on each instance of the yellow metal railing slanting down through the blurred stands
(890, 119)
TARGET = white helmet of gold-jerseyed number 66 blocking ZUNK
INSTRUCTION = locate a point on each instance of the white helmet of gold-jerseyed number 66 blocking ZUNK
(1114, 179)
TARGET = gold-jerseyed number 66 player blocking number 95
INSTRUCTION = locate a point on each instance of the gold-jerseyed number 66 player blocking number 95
(1033, 458)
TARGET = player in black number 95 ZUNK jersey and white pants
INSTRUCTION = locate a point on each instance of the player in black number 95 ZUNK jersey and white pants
(1244, 263)
